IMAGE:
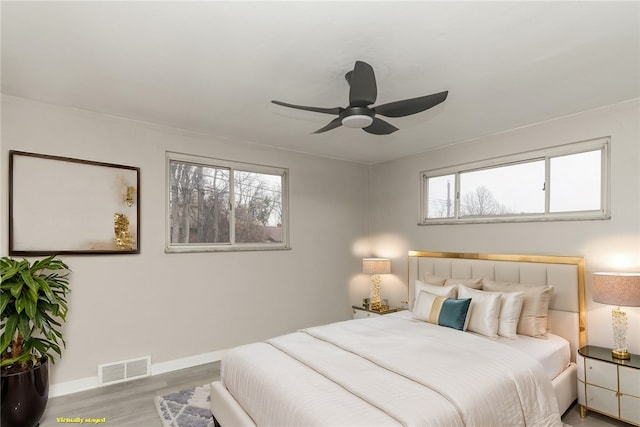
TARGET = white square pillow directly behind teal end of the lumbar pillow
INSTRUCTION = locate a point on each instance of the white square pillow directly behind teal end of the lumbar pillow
(484, 311)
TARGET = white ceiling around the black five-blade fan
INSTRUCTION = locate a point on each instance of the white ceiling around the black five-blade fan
(213, 67)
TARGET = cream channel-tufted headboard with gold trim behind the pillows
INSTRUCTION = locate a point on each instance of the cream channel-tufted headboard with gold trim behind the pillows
(564, 273)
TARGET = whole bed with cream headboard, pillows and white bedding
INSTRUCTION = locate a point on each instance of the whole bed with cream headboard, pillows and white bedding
(435, 364)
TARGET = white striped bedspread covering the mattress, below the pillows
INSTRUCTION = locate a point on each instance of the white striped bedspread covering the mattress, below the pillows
(388, 370)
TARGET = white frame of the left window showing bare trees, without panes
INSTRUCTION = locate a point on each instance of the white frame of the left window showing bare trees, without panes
(231, 166)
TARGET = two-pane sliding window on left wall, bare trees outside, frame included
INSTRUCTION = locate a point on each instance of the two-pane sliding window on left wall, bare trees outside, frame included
(218, 205)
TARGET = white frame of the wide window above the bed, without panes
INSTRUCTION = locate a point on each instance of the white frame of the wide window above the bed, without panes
(545, 154)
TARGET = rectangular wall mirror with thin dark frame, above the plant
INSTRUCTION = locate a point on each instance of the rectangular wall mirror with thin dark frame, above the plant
(25, 181)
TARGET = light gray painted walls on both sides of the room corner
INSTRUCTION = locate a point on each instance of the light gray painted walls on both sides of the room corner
(178, 307)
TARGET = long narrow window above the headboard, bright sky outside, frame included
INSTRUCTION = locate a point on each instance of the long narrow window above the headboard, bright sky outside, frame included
(564, 182)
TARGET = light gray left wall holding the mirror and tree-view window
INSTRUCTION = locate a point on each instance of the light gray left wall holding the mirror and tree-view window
(176, 306)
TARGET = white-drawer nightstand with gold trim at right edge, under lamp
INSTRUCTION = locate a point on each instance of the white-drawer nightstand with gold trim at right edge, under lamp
(607, 385)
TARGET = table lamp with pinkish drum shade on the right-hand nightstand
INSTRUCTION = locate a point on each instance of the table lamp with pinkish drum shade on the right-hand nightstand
(617, 289)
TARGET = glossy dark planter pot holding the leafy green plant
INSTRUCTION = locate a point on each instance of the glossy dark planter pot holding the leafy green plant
(24, 396)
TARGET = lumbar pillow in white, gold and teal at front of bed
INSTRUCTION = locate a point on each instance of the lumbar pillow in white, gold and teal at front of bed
(442, 311)
